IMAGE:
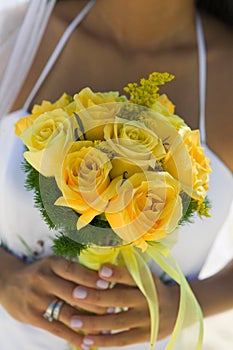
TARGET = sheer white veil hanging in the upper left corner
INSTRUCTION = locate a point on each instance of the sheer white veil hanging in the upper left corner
(22, 52)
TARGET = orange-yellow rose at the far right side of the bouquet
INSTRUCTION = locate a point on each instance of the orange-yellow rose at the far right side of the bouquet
(200, 164)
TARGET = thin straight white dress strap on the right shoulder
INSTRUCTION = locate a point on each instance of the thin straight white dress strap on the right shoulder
(202, 77)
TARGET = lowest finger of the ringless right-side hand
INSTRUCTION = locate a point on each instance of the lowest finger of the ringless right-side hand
(120, 339)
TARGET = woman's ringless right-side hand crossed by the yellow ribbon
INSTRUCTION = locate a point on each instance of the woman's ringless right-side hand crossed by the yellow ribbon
(132, 324)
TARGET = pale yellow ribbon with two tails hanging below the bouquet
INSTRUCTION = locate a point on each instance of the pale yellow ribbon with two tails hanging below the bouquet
(189, 312)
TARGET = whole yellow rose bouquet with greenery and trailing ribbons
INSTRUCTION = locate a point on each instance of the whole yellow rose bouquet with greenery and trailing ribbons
(116, 176)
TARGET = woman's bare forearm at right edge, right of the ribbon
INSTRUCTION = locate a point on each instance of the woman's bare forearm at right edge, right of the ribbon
(215, 293)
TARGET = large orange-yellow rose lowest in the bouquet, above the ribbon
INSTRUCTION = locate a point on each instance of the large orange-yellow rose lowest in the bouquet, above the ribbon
(145, 207)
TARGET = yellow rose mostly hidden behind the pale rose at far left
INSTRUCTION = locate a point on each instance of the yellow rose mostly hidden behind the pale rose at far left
(46, 106)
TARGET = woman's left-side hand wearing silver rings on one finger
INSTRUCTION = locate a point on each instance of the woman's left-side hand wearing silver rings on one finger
(27, 291)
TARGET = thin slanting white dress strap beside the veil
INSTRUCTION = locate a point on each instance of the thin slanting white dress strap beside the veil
(63, 40)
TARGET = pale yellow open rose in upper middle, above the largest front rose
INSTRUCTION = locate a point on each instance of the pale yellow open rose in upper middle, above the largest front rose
(134, 147)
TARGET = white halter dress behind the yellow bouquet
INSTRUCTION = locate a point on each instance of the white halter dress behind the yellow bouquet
(20, 221)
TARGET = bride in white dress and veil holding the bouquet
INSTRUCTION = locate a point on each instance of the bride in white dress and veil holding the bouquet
(105, 45)
